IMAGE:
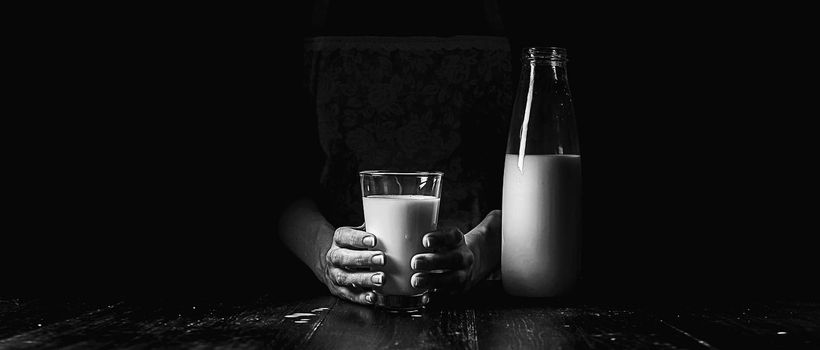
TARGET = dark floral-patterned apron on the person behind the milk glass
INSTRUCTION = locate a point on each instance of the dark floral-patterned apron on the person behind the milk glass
(411, 103)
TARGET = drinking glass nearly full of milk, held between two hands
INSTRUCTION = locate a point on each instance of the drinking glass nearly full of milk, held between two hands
(399, 208)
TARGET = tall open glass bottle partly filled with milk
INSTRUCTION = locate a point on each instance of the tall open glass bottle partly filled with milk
(541, 206)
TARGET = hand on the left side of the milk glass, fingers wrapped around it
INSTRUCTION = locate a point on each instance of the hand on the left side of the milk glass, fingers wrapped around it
(347, 262)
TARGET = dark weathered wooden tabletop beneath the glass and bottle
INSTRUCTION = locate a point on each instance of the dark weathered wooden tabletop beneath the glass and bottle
(484, 319)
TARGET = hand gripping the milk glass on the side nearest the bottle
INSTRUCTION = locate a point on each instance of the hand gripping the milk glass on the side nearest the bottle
(458, 261)
